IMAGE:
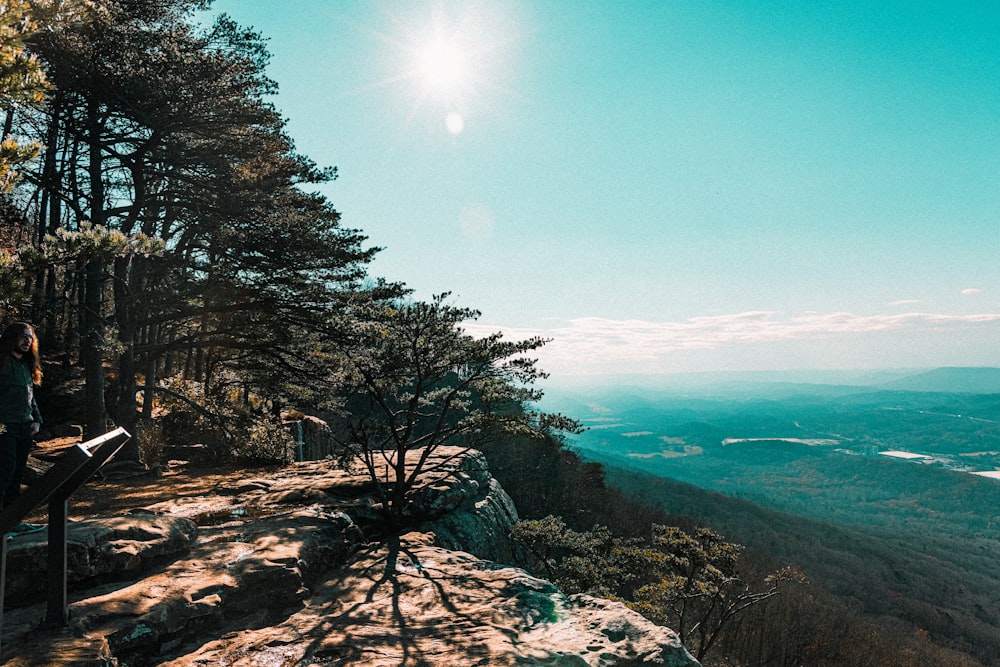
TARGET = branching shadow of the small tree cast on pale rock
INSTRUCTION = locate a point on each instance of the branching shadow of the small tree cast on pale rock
(409, 604)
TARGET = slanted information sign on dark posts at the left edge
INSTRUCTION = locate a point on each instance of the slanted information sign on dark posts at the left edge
(70, 471)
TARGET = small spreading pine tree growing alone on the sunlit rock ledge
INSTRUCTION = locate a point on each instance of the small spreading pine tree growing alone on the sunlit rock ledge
(414, 382)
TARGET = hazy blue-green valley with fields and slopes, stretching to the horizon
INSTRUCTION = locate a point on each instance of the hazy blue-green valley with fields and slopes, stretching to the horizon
(884, 496)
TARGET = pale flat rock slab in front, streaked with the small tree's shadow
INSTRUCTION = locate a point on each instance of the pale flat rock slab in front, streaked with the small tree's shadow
(408, 602)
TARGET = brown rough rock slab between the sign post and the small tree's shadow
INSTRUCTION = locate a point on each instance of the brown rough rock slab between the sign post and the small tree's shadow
(236, 576)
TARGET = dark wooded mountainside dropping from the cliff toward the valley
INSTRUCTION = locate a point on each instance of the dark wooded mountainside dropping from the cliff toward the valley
(870, 597)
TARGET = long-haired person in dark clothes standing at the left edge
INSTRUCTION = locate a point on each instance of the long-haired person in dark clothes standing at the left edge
(20, 420)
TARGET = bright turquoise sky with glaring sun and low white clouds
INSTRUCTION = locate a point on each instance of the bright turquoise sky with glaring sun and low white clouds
(667, 186)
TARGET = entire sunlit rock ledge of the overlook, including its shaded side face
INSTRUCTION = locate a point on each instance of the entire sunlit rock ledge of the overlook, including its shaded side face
(276, 570)
